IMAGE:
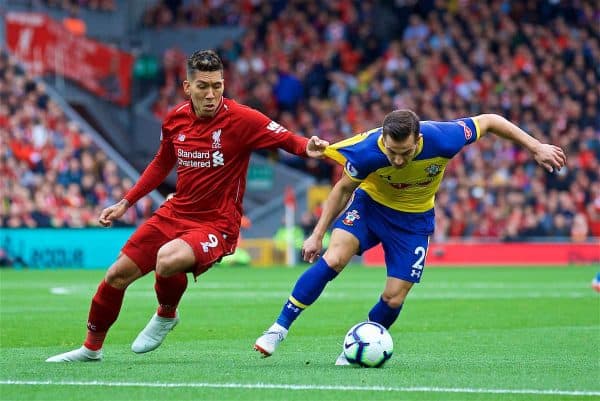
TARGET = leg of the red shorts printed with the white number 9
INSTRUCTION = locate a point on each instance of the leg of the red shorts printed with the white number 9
(209, 247)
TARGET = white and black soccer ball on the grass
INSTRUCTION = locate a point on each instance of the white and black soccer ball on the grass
(368, 344)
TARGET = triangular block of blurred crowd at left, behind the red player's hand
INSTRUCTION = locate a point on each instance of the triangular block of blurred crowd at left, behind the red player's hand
(52, 173)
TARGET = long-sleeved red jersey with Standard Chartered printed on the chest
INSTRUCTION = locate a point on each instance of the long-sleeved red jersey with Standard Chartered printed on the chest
(212, 157)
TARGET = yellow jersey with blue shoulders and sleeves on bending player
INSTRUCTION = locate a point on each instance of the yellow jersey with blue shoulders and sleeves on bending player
(412, 188)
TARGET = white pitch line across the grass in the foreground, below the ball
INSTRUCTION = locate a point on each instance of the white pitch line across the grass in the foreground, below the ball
(303, 387)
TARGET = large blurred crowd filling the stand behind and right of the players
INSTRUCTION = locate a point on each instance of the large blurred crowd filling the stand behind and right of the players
(336, 68)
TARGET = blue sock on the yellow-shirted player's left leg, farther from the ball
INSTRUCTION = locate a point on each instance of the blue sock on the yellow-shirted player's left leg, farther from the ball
(306, 291)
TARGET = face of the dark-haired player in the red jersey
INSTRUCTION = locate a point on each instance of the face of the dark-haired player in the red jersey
(205, 88)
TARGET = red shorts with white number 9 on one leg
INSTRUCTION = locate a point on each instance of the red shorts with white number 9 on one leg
(209, 244)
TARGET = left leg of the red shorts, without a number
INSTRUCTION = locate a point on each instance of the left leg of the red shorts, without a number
(142, 247)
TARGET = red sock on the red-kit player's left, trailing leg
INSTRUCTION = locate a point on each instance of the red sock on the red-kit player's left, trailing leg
(104, 310)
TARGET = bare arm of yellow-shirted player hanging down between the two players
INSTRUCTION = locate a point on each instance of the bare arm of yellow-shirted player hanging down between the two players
(336, 201)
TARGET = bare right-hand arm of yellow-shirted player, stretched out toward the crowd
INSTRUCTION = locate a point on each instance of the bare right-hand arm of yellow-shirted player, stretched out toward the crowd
(549, 156)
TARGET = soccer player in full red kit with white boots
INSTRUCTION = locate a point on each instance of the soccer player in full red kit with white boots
(210, 139)
